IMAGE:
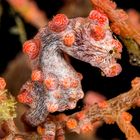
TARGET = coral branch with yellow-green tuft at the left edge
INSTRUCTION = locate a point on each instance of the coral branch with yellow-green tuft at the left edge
(7, 112)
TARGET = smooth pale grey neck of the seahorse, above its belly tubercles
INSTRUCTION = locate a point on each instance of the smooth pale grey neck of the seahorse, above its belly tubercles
(52, 61)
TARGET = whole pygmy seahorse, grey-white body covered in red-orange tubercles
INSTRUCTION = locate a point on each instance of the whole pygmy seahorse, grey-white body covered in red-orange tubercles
(55, 85)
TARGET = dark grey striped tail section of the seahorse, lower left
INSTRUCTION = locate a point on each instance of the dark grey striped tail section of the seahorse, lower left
(37, 111)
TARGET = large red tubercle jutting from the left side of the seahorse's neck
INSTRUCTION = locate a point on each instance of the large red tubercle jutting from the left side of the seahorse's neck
(31, 48)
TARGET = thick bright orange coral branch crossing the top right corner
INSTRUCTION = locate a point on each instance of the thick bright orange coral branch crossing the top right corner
(119, 19)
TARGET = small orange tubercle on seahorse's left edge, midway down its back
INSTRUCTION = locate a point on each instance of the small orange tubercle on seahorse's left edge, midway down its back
(37, 75)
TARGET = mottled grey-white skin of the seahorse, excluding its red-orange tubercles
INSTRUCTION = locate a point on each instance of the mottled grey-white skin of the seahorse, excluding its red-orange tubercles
(51, 61)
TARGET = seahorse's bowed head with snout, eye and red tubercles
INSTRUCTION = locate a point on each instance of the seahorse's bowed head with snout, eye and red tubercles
(90, 40)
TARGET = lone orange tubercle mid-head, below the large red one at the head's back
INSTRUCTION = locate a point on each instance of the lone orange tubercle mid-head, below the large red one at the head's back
(69, 39)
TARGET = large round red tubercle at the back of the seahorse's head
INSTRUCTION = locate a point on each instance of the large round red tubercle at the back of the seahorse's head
(58, 23)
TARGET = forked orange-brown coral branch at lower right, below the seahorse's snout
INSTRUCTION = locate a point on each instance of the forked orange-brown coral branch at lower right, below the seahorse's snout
(114, 109)
